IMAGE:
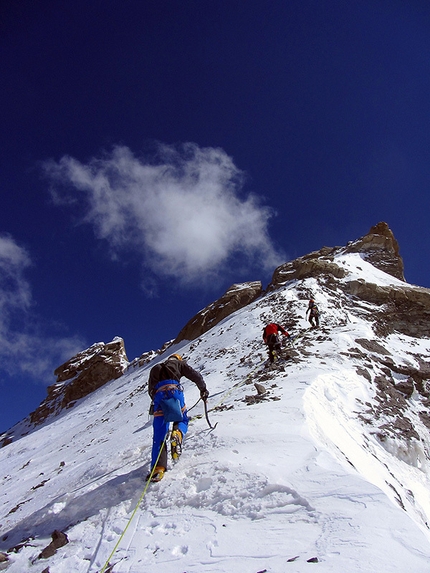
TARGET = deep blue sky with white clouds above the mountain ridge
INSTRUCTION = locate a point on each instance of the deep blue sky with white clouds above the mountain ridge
(154, 153)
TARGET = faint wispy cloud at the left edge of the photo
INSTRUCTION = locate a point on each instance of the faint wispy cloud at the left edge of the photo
(24, 348)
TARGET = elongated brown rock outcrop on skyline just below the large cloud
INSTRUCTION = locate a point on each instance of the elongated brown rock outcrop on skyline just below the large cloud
(236, 297)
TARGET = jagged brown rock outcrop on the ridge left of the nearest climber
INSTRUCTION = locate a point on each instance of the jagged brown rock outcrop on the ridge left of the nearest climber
(81, 375)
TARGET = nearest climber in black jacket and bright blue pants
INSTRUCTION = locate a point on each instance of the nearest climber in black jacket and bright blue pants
(169, 406)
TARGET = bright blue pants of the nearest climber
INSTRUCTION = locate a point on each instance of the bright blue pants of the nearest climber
(160, 427)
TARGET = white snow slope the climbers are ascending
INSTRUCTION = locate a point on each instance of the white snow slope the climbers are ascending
(298, 474)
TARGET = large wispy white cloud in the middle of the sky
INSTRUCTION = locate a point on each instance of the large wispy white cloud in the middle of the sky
(182, 209)
